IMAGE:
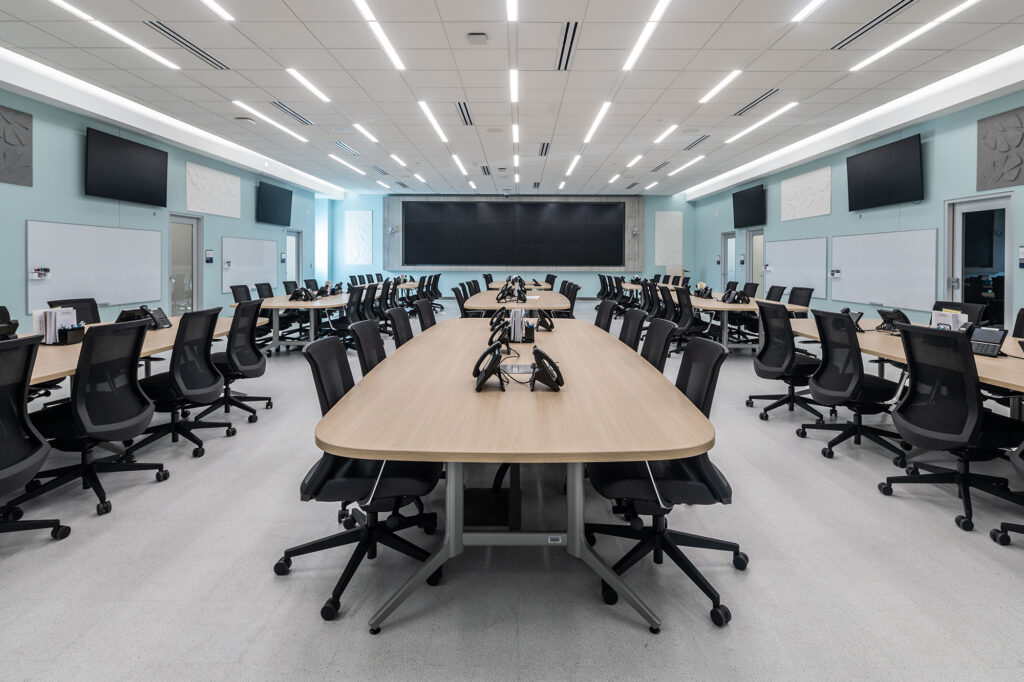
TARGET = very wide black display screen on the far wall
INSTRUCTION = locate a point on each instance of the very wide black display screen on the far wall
(522, 234)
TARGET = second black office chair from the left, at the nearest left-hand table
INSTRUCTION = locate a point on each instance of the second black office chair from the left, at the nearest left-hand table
(107, 406)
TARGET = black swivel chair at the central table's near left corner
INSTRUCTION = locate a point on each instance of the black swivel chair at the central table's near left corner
(377, 487)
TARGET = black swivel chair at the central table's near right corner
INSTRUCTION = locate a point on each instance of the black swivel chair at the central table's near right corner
(655, 489)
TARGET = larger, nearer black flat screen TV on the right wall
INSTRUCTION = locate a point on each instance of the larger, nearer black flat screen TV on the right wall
(887, 176)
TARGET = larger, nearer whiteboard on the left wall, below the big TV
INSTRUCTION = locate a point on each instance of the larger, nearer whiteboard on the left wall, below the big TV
(114, 266)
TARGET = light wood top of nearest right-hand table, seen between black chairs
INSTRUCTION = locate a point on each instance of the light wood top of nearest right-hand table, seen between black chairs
(1003, 372)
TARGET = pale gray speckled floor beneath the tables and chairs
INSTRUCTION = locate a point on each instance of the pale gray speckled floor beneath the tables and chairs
(178, 582)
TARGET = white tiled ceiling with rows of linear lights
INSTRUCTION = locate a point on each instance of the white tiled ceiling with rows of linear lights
(697, 45)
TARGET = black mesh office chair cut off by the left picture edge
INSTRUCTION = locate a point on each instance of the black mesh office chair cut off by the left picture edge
(25, 451)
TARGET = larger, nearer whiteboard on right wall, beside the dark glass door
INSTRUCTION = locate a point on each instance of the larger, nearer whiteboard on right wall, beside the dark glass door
(894, 270)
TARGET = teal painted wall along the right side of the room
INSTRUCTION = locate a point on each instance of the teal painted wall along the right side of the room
(950, 157)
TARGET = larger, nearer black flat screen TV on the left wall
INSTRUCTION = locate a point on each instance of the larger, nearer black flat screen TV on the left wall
(117, 168)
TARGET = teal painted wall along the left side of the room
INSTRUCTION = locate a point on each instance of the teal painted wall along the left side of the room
(59, 196)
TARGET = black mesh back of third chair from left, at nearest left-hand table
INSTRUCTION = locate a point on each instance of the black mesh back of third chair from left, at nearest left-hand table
(194, 376)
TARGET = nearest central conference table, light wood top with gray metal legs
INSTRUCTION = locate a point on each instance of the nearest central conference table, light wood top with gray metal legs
(586, 421)
